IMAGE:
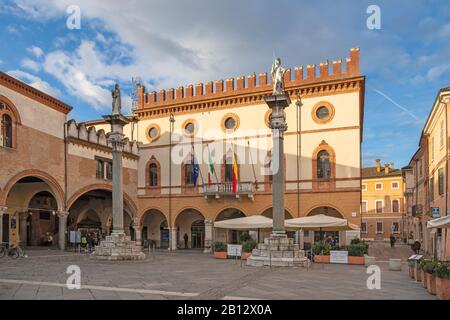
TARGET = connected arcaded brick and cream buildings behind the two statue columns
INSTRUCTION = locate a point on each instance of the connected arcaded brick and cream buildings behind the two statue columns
(170, 133)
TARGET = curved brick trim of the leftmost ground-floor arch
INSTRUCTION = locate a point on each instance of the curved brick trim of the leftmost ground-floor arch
(56, 189)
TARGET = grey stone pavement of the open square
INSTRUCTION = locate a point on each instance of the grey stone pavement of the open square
(192, 275)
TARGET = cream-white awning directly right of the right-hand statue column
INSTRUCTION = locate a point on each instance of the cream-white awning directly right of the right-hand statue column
(320, 222)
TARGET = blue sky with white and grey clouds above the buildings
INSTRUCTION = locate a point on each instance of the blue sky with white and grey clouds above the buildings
(171, 43)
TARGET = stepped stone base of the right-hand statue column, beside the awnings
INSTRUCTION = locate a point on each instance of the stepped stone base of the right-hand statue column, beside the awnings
(278, 251)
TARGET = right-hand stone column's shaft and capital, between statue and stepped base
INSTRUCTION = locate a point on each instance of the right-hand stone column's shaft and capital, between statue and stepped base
(278, 102)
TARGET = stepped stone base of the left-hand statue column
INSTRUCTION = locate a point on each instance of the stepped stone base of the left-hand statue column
(118, 246)
